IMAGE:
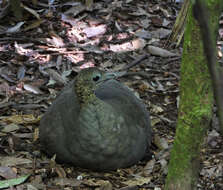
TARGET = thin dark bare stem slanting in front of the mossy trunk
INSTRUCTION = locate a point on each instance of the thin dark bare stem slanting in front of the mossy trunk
(209, 35)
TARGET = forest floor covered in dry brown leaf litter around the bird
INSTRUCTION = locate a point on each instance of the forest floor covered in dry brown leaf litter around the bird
(45, 49)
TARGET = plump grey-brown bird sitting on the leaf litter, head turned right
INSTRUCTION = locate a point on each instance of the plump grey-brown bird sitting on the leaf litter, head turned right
(96, 123)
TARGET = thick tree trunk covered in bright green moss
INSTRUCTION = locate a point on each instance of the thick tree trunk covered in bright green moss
(195, 111)
